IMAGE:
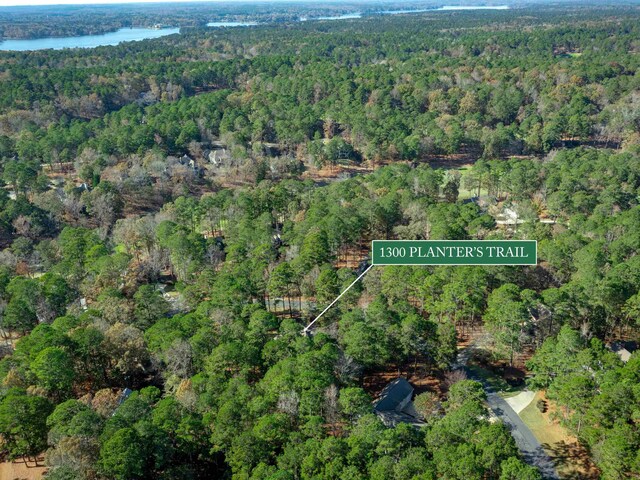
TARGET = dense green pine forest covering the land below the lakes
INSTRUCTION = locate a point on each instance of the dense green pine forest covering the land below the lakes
(175, 211)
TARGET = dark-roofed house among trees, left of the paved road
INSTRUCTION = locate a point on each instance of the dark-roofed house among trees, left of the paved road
(394, 404)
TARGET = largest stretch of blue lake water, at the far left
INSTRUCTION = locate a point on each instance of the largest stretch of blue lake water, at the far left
(87, 41)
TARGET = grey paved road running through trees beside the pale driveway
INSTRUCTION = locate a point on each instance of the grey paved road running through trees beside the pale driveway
(532, 451)
